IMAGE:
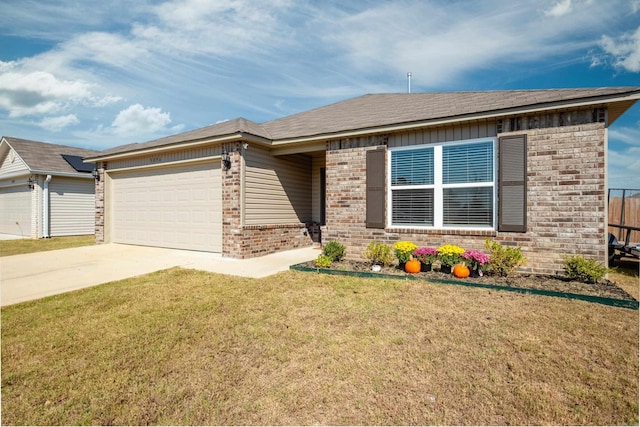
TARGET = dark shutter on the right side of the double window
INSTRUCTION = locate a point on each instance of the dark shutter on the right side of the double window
(512, 184)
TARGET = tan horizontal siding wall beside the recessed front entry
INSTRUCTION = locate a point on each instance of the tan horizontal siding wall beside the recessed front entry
(277, 189)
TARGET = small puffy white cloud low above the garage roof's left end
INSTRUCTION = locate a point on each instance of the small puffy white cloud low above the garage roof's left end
(137, 120)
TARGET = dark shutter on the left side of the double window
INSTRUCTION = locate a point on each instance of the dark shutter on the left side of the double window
(375, 188)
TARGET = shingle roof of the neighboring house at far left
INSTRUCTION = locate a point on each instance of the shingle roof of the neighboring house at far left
(45, 157)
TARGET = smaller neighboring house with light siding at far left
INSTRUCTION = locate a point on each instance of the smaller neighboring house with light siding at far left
(45, 189)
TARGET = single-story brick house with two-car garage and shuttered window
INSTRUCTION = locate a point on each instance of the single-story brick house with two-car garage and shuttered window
(525, 168)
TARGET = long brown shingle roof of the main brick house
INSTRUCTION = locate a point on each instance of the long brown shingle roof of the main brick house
(379, 110)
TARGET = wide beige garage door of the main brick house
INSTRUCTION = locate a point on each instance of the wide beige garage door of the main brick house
(172, 207)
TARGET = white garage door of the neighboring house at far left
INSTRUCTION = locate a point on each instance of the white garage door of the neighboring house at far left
(15, 210)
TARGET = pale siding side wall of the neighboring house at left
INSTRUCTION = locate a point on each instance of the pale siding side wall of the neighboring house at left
(72, 206)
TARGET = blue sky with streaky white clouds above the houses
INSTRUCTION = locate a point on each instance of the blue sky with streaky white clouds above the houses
(98, 74)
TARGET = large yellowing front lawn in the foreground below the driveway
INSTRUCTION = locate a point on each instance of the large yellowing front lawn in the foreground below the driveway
(186, 347)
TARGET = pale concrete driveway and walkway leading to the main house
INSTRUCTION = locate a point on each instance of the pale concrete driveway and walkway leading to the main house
(32, 276)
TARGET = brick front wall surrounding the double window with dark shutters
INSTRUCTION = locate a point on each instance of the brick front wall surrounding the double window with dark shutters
(566, 200)
